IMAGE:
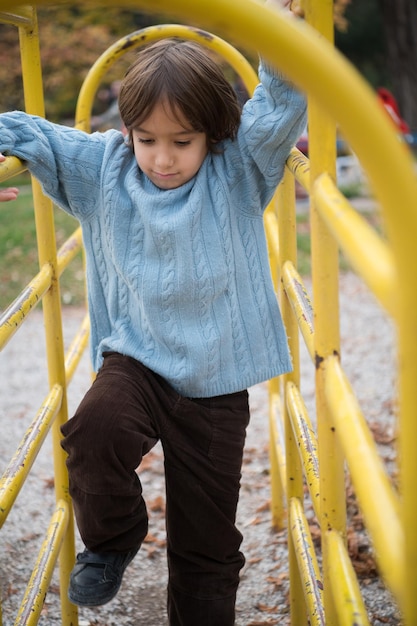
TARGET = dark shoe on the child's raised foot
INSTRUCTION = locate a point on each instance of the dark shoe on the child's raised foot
(97, 576)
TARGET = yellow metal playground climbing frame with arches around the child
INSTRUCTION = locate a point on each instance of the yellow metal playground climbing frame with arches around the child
(314, 455)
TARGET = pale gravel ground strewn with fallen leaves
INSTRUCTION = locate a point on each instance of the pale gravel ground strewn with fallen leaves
(368, 357)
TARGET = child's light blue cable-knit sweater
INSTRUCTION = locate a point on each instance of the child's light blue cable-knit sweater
(177, 279)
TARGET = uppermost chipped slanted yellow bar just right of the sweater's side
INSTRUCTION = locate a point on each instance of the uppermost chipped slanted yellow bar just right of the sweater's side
(301, 304)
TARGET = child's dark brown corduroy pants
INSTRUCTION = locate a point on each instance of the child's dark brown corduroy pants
(125, 413)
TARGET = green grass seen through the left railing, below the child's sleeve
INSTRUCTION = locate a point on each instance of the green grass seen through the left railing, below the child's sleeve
(18, 248)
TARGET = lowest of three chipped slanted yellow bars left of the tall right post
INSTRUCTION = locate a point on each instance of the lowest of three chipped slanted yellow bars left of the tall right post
(307, 563)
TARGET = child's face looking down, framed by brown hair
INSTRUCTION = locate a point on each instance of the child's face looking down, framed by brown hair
(167, 150)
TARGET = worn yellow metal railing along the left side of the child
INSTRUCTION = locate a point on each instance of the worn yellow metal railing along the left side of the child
(59, 539)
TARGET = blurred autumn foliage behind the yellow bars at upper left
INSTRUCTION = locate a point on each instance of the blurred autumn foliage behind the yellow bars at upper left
(71, 39)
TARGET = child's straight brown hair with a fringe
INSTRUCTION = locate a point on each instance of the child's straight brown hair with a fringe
(189, 80)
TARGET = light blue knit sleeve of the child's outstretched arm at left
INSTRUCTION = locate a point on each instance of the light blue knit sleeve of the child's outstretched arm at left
(66, 161)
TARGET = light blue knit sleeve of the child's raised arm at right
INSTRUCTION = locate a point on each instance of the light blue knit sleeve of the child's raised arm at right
(272, 120)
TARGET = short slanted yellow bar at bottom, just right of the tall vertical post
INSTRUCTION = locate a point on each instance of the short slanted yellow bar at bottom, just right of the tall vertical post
(349, 604)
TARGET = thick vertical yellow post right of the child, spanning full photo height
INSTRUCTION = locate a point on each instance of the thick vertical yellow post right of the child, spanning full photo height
(325, 263)
